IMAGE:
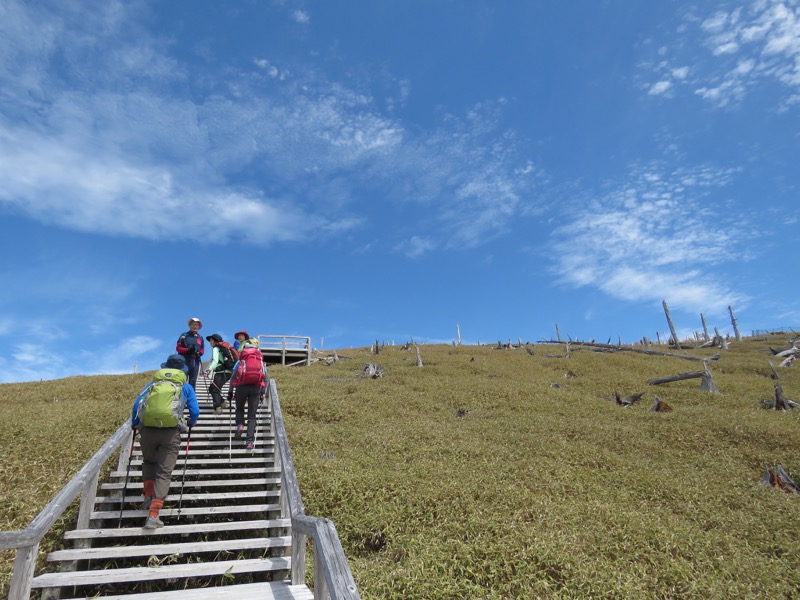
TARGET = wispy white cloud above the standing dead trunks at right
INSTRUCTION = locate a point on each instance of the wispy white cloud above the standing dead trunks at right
(649, 239)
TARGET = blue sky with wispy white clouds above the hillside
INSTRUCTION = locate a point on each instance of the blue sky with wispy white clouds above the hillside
(388, 170)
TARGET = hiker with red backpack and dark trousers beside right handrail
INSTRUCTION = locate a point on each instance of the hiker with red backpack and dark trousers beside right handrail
(249, 385)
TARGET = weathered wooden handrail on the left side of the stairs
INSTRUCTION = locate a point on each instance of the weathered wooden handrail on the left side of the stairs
(26, 542)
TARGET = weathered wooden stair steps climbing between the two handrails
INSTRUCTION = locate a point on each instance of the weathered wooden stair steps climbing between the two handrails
(224, 534)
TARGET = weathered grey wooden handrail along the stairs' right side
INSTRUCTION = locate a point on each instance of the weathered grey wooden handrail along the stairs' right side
(332, 576)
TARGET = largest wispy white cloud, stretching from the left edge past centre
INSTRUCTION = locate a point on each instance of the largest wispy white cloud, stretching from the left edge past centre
(113, 144)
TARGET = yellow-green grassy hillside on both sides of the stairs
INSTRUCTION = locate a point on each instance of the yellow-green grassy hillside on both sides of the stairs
(497, 473)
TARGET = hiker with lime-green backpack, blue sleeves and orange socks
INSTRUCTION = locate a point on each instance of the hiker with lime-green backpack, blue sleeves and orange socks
(158, 414)
